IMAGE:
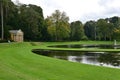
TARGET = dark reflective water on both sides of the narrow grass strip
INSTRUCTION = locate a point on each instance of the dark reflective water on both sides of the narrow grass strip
(108, 59)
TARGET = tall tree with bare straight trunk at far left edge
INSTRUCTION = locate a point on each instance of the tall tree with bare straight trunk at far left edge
(5, 6)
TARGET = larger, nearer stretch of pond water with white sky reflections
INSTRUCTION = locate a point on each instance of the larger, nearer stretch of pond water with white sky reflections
(93, 58)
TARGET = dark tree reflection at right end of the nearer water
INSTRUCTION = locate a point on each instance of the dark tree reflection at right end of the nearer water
(110, 58)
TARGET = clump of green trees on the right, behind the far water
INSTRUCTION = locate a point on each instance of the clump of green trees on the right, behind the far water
(103, 29)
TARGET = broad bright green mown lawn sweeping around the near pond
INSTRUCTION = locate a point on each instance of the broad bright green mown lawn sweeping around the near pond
(17, 62)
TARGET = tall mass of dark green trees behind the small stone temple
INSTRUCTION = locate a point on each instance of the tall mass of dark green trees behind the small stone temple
(29, 18)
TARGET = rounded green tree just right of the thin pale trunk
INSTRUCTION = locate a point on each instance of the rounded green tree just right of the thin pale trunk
(105, 29)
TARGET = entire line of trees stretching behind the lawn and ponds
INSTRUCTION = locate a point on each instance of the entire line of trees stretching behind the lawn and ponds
(56, 27)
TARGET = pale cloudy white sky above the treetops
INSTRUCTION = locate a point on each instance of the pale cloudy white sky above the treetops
(83, 10)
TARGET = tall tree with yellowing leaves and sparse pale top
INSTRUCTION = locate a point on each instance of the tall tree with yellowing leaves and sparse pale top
(58, 26)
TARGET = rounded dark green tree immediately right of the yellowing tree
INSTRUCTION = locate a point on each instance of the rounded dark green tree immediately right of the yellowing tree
(77, 31)
